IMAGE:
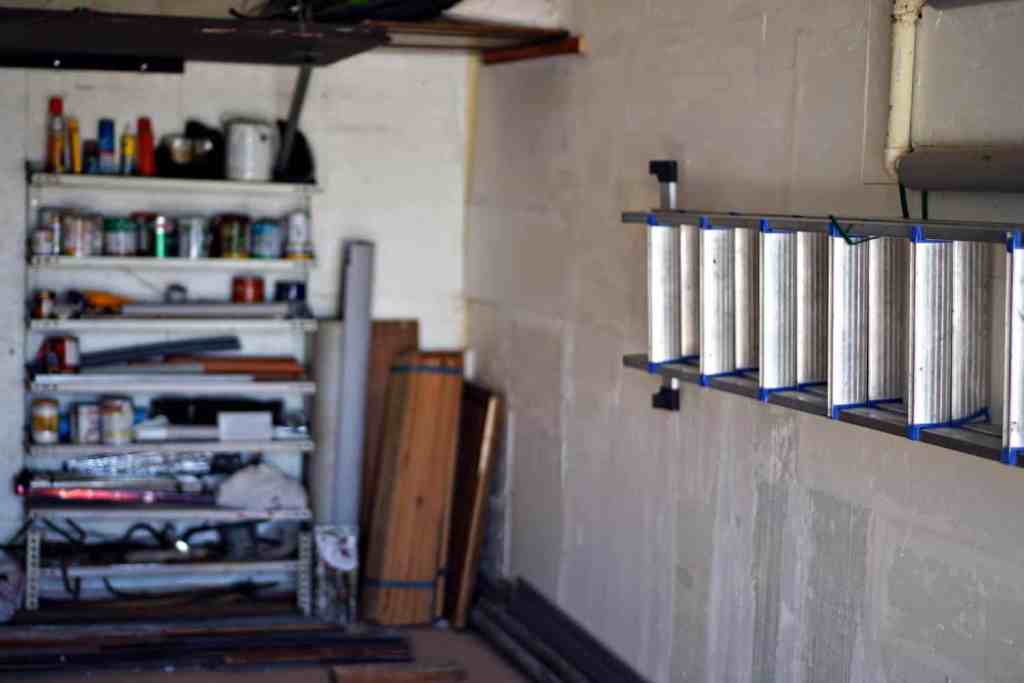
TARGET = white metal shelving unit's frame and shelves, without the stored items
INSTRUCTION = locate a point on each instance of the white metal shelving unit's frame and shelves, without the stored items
(45, 271)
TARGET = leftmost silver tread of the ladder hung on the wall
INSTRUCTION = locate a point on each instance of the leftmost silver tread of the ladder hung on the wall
(664, 329)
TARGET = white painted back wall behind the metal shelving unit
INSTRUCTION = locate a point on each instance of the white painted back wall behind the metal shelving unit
(390, 136)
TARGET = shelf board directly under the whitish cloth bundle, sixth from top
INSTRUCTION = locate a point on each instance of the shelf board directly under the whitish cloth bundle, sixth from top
(131, 514)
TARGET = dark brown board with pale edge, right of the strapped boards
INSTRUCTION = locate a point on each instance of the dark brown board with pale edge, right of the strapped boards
(475, 467)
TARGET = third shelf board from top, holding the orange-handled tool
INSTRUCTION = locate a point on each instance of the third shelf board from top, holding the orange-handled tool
(166, 325)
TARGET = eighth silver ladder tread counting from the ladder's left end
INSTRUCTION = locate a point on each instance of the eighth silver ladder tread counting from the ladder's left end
(887, 293)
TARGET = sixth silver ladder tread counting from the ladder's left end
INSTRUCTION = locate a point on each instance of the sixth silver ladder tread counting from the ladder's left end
(813, 309)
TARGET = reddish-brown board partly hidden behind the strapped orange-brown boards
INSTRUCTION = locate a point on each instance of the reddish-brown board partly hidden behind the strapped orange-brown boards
(389, 340)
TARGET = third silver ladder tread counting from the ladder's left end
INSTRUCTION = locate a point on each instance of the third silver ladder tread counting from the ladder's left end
(718, 301)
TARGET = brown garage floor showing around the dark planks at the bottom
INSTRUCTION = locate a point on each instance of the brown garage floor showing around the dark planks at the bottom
(482, 663)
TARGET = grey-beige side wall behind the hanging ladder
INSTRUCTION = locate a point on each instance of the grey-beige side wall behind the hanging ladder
(734, 541)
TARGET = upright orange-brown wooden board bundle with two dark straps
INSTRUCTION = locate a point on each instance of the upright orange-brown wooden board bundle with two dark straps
(408, 545)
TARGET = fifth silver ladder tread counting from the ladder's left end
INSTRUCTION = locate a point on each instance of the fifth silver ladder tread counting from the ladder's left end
(779, 311)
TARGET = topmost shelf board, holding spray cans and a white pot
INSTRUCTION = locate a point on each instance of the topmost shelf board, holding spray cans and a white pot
(130, 184)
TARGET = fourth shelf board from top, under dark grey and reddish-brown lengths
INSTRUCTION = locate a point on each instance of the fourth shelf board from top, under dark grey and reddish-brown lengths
(109, 386)
